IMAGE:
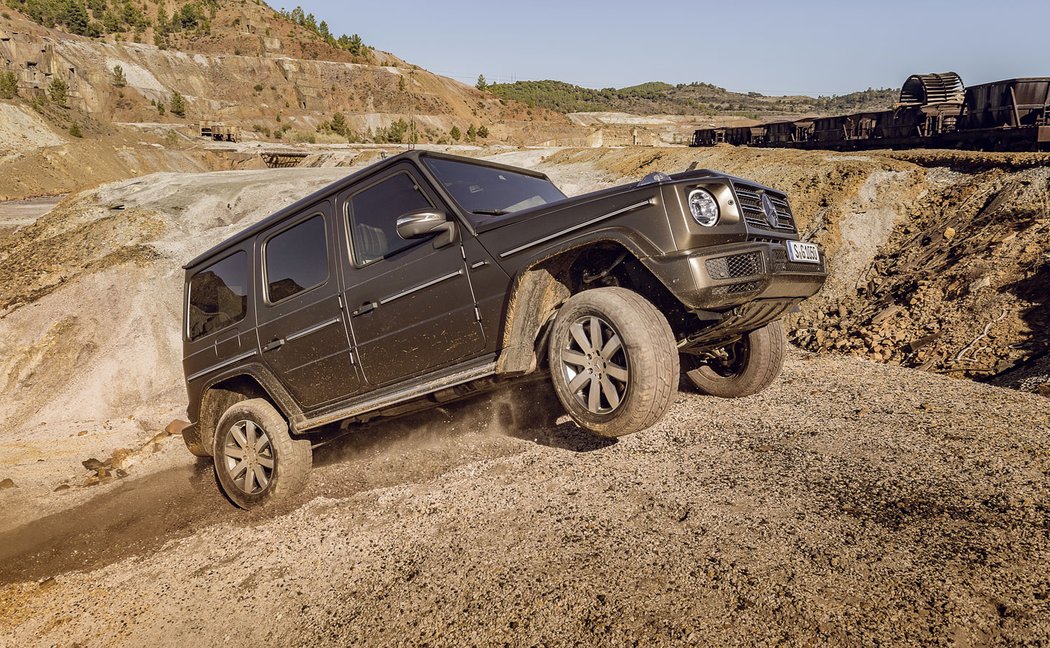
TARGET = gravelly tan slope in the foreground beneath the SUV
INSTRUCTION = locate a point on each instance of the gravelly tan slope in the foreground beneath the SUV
(850, 504)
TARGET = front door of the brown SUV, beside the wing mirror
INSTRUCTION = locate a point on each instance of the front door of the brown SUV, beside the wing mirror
(411, 305)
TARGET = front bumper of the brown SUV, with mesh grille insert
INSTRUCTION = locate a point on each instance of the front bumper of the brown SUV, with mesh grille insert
(730, 276)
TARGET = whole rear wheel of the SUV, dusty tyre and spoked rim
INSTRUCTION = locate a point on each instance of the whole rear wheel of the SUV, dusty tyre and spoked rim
(256, 458)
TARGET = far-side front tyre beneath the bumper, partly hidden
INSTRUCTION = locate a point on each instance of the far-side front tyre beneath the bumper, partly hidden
(751, 365)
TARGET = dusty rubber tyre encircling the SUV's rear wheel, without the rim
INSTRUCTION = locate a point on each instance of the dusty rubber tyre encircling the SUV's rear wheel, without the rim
(291, 458)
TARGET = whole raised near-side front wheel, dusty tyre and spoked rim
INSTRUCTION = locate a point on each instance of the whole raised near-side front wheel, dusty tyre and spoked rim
(614, 362)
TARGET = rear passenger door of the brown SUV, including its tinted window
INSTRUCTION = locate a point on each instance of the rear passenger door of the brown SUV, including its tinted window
(303, 333)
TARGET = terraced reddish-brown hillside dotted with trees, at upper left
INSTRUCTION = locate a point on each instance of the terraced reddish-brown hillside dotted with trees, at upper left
(276, 76)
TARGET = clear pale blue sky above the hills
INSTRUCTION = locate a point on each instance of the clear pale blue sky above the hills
(820, 48)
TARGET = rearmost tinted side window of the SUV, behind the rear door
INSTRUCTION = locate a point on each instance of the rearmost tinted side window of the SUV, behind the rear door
(219, 296)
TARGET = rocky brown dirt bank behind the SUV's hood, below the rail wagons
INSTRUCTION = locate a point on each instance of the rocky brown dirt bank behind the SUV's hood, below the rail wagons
(938, 260)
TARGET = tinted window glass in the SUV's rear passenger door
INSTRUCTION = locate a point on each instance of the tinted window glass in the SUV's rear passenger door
(297, 260)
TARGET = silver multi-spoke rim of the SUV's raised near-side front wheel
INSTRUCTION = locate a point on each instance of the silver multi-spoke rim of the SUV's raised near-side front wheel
(595, 365)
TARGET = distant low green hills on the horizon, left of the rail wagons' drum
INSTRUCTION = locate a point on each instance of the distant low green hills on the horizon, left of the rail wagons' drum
(658, 98)
